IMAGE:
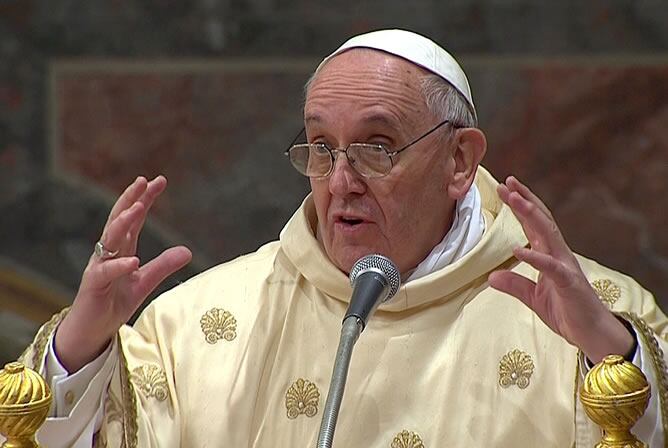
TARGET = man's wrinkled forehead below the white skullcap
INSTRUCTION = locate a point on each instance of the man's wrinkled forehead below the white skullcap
(367, 81)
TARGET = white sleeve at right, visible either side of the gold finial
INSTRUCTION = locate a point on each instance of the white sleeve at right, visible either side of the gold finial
(649, 428)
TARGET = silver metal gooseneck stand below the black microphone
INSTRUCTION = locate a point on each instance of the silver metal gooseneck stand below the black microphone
(350, 331)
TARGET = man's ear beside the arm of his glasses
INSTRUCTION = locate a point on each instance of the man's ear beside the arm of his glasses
(470, 146)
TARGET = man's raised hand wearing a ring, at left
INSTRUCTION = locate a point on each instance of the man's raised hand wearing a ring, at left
(113, 285)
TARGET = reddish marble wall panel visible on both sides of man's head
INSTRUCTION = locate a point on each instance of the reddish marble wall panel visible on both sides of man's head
(591, 140)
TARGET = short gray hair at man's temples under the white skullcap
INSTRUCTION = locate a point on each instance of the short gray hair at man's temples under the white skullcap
(442, 99)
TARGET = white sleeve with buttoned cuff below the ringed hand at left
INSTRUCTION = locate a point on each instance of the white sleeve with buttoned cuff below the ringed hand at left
(78, 400)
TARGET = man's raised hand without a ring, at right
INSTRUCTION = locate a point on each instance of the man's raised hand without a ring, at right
(561, 296)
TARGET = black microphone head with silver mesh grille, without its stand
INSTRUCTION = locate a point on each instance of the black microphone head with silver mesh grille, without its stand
(375, 279)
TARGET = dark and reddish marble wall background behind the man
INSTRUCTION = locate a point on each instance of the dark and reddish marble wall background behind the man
(572, 95)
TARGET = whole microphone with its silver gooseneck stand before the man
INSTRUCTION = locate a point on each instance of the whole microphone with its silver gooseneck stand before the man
(375, 279)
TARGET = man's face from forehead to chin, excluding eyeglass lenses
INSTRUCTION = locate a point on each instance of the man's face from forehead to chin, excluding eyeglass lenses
(367, 96)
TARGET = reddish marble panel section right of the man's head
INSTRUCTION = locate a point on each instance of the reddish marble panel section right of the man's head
(593, 143)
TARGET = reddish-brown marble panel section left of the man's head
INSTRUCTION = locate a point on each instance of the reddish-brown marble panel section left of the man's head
(219, 138)
